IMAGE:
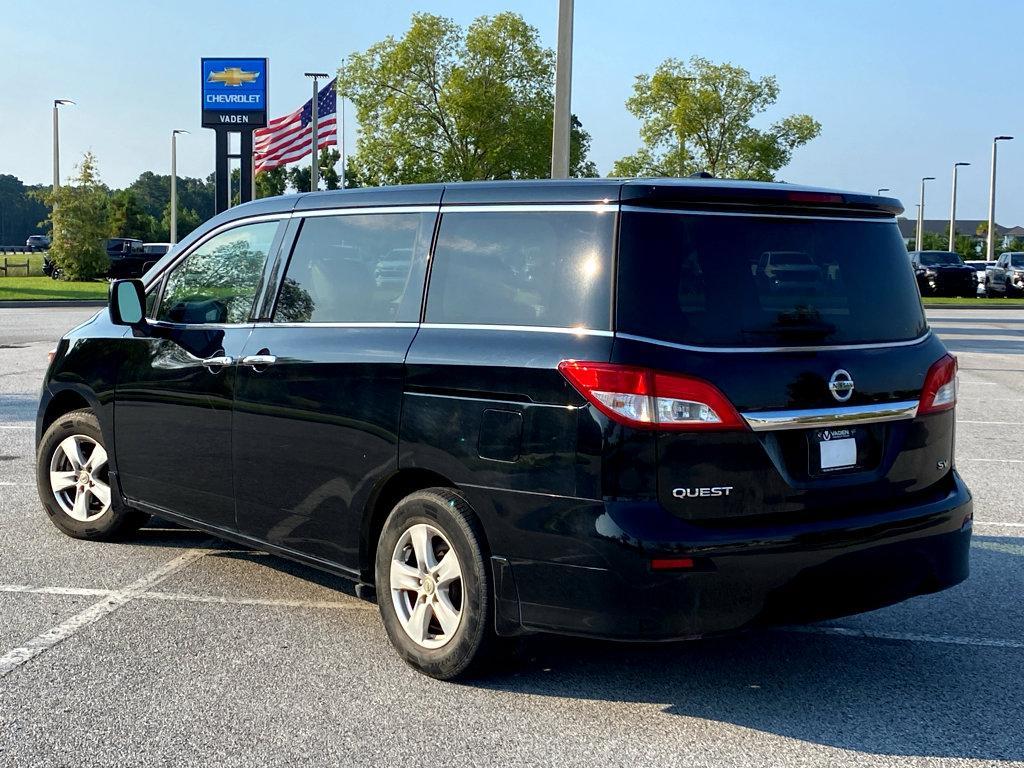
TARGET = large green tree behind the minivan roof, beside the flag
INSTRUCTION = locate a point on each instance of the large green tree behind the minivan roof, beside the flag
(445, 104)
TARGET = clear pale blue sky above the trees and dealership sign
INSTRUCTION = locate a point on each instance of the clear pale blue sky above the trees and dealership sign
(903, 90)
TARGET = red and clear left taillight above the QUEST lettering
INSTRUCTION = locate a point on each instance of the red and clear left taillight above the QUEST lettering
(651, 400)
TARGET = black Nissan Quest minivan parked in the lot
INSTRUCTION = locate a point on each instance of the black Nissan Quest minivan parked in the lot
(618, 409)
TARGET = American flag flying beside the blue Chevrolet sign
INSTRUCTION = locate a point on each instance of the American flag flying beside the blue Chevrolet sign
(288, 140)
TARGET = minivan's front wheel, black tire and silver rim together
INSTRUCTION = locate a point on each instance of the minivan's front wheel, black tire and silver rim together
(83, 508)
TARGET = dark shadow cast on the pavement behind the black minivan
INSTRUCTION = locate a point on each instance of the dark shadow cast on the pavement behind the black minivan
(888, 698)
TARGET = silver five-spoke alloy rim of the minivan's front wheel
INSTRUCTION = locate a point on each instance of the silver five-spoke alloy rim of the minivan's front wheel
(79, 478)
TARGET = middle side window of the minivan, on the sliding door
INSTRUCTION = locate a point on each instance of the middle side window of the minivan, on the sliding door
(357, 269)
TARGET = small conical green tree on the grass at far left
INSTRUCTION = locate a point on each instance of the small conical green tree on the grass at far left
(80, 217)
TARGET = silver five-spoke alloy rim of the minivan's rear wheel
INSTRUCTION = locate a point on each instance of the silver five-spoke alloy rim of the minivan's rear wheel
(428, 586)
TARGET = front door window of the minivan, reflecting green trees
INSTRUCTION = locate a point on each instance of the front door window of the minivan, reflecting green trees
(218, 283)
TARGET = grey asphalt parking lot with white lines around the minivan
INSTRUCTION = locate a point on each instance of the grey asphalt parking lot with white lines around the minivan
(177, 650)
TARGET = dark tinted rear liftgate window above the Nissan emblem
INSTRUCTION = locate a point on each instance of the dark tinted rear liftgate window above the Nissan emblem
(754, 282)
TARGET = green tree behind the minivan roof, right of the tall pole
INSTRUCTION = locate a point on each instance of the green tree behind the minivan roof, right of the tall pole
(698, 117)
